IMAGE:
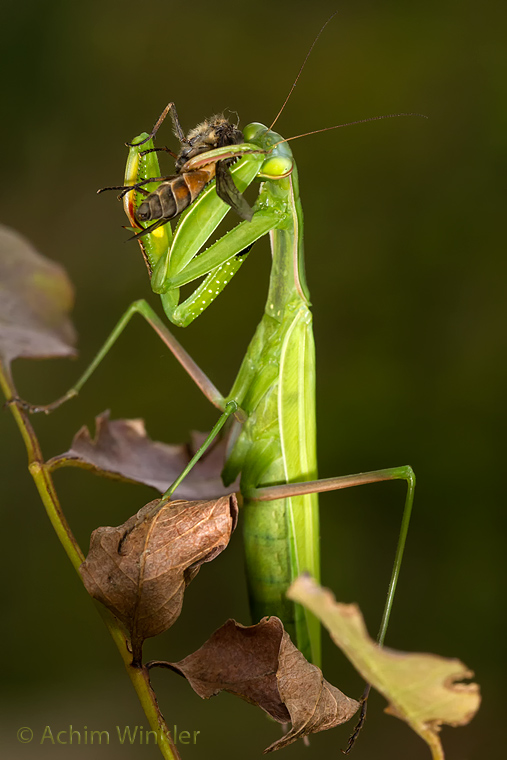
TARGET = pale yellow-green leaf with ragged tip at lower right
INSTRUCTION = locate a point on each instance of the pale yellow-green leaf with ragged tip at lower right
(422, 689)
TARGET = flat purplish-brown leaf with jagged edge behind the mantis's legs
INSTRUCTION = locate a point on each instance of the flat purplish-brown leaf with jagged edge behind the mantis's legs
(122, 449)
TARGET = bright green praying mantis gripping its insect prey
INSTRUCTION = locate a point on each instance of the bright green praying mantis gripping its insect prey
(273, 396)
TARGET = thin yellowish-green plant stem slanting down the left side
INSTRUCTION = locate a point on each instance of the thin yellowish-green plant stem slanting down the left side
(47, 492)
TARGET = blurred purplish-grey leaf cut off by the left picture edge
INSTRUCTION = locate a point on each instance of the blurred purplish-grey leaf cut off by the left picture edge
(35, 298)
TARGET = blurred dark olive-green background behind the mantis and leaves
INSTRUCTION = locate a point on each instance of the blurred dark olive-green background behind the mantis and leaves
(405, 240)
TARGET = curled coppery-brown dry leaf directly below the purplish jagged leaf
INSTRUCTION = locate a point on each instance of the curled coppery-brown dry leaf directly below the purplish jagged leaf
(140, 569)
